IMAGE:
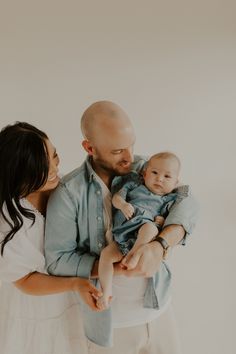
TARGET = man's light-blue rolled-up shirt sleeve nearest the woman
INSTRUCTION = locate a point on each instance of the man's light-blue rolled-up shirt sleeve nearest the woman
(63, 256)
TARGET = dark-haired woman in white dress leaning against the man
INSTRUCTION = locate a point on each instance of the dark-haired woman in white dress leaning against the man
(30, 323)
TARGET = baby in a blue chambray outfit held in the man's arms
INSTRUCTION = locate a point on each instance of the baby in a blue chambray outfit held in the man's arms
(141, 206)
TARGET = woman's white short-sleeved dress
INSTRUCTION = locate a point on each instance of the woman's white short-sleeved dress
(34, 324)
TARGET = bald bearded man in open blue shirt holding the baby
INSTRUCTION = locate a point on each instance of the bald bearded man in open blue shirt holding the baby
(79, 226)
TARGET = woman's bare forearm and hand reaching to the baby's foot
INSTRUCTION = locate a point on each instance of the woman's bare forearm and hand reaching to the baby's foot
(43, 284)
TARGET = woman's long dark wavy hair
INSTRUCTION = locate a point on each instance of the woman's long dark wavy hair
(24, 169)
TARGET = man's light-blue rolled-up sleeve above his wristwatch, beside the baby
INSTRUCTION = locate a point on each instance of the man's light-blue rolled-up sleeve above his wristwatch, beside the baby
(185, 213)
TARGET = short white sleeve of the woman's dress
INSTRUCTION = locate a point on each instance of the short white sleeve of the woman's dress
(20, 257)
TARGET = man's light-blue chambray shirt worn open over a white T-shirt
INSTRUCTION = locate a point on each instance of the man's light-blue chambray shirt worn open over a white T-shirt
(75, 236)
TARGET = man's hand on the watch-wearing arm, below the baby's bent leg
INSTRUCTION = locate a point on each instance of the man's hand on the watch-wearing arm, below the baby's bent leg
(145, 261)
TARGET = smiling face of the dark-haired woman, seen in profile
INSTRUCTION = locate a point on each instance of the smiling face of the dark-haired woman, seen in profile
(53, 178)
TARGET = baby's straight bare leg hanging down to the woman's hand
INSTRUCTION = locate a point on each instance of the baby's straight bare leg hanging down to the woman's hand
(109, 255)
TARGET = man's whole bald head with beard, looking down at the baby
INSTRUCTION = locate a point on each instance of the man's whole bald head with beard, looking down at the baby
(108, 139)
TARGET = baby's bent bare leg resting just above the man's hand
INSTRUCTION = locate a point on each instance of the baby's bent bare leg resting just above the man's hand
(147, 232)
